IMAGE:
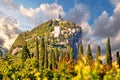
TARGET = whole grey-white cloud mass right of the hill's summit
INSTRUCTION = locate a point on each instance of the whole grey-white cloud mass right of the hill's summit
(104, 26)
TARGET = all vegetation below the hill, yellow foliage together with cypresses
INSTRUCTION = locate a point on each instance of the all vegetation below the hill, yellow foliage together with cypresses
(58, 65)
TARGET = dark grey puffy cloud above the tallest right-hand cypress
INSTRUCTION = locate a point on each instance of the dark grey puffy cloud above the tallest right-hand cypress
(107, 26)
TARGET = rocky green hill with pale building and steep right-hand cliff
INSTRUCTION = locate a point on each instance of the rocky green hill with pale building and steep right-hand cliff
(58, 32)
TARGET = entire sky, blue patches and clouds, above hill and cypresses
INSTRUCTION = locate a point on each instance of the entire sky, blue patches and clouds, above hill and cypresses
(99, 19)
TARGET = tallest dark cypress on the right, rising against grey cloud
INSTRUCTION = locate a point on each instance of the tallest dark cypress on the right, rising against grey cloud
(108, 52)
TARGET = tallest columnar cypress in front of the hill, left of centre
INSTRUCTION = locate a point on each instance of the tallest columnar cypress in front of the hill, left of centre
(42, 52)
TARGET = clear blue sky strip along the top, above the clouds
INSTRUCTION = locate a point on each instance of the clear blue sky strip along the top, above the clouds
(96, 7)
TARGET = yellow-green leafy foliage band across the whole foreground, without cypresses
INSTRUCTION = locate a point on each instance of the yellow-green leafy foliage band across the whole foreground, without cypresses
(66, 70)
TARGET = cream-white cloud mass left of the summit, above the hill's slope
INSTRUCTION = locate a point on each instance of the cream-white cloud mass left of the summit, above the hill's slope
(16, 18)
